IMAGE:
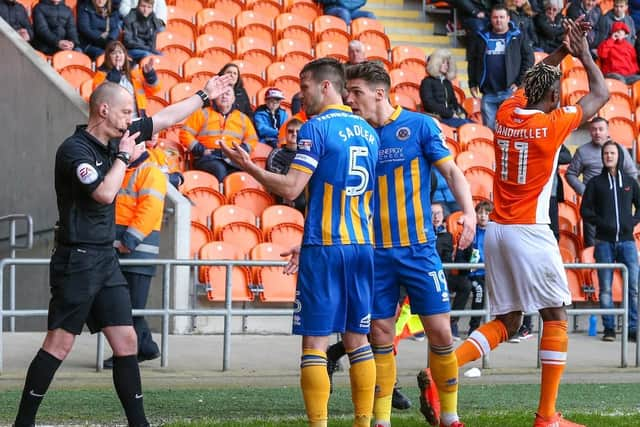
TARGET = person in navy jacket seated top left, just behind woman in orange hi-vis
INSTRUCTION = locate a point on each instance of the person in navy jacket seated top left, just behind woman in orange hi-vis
(97, 26)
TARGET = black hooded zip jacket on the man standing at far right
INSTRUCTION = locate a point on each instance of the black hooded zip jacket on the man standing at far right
(608, 203)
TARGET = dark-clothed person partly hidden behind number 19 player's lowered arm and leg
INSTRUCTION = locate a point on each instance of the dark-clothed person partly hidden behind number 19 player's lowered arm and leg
(456, 283)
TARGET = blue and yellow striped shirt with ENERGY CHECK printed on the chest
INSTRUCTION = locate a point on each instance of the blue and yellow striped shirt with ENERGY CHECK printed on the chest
(410, 143)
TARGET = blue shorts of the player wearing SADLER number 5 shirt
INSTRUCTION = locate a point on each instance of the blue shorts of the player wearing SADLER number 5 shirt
(334, 290)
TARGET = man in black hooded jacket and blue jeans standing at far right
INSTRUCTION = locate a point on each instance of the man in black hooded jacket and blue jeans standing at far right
(609, 203)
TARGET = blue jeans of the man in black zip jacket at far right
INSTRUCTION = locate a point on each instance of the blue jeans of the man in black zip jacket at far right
(625, 253)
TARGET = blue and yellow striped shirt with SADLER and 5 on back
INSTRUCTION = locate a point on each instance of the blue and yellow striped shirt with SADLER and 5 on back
(340, 150)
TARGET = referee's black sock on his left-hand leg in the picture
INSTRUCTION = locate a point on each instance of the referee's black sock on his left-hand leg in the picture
(39, 377)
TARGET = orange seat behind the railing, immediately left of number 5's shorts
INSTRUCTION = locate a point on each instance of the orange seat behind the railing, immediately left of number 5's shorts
(273, 285)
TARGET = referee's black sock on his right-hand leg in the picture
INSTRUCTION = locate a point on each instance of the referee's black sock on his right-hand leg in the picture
(126, 379)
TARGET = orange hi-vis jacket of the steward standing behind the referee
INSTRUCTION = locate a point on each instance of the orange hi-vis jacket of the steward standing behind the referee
(139, 210)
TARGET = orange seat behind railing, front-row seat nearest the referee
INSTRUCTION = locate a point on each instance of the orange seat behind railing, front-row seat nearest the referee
(216, 276)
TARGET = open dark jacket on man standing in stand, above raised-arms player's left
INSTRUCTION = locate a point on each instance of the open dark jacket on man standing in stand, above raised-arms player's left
(518, 57)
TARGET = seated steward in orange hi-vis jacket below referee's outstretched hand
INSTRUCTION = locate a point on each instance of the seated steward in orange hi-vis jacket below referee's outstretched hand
(206, 129)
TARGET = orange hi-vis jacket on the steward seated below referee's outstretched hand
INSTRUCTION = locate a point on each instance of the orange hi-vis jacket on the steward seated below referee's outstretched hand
(206, 126)
